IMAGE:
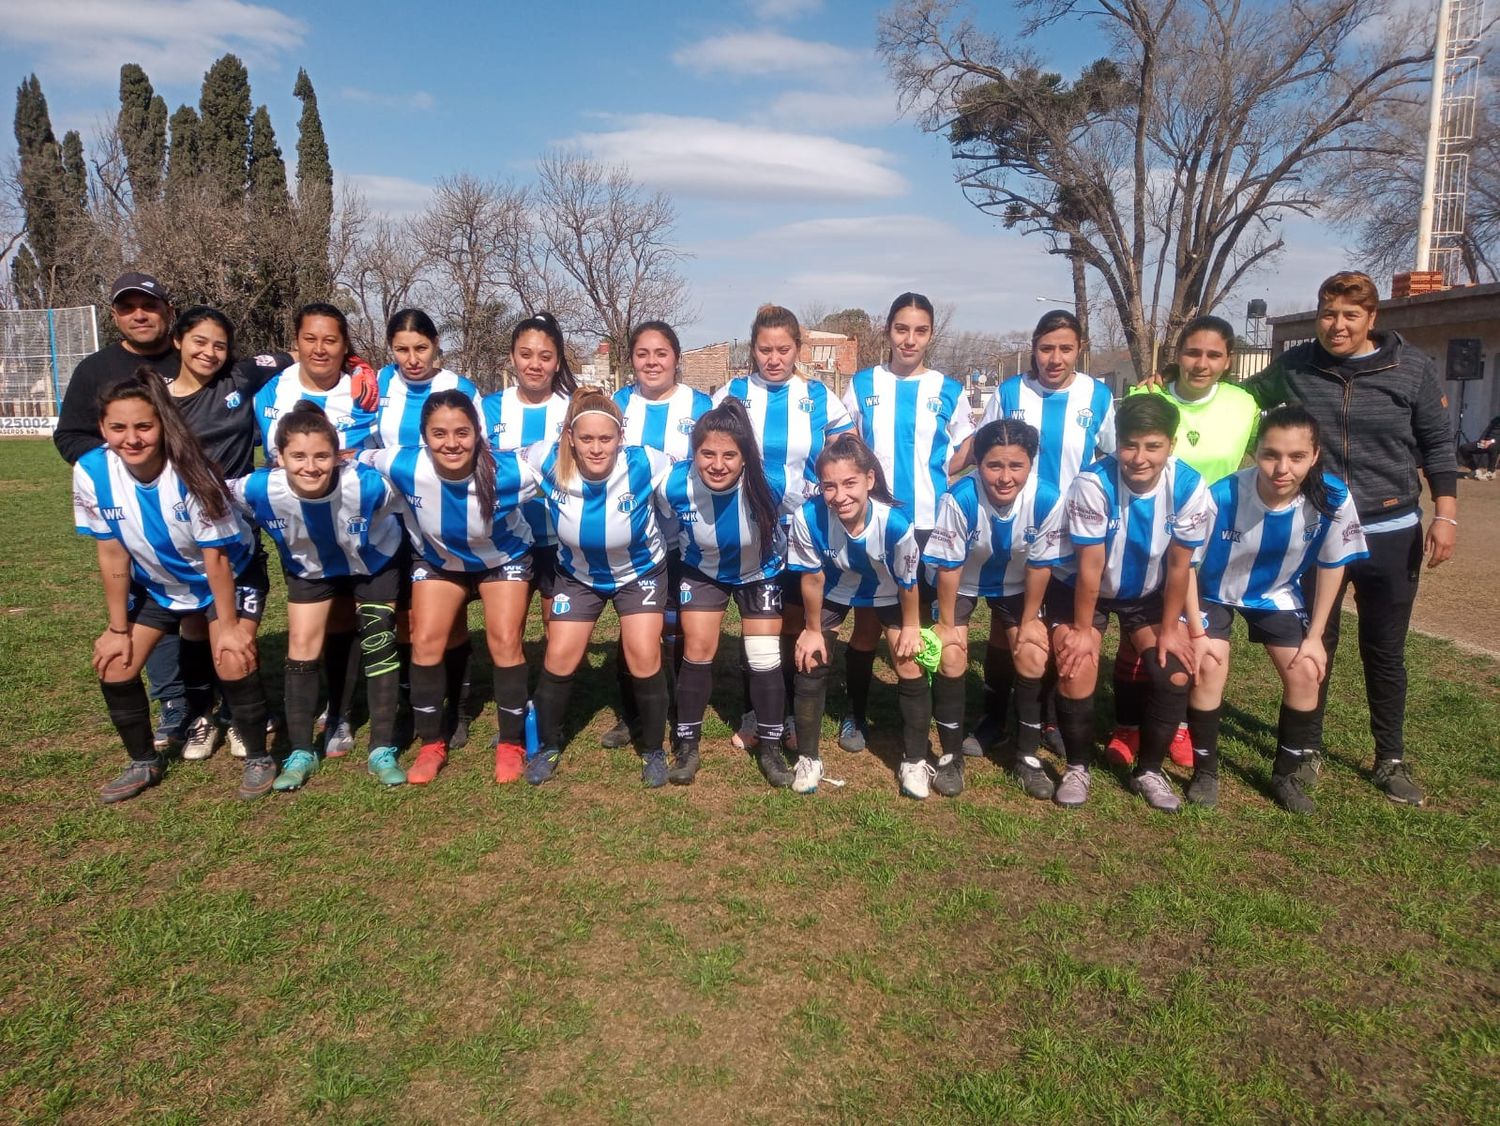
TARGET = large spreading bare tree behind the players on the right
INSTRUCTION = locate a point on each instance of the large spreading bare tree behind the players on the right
(1166, 166)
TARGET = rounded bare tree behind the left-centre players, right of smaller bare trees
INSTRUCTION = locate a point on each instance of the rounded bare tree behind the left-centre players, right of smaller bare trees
(614, 242)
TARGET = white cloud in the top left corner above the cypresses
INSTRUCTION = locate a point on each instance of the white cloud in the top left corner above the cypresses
(175, 41)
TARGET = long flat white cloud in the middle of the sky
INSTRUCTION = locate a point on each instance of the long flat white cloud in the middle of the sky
(707, 158)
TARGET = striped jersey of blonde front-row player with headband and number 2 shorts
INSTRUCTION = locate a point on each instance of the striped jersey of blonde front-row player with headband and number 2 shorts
(608, 532)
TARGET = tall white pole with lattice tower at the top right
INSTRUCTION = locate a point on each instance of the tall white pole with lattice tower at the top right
(1451, 130)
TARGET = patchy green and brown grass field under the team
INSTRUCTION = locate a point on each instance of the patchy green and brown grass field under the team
(595, 953)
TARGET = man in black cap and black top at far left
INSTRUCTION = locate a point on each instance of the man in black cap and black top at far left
(143, 313)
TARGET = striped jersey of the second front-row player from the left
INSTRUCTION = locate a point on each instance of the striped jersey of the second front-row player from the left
(355, 530)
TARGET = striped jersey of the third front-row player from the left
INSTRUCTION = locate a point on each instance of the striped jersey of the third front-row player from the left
(445, 518)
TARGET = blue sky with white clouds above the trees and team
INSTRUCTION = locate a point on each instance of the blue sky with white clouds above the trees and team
(770, 122)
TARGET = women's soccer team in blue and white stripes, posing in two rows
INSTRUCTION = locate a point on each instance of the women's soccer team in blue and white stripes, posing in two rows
(395, 506)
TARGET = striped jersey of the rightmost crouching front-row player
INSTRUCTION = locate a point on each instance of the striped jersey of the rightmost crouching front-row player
(1255, 556)
